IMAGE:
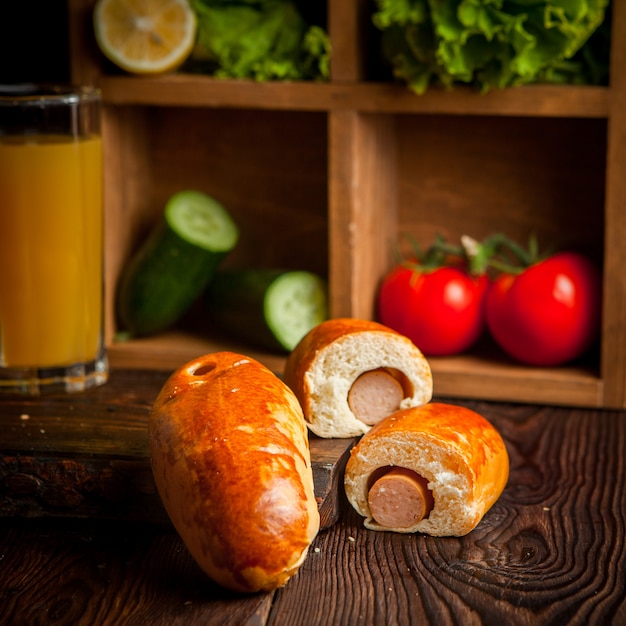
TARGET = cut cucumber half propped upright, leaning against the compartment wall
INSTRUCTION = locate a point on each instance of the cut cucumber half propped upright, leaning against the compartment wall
(176, 262)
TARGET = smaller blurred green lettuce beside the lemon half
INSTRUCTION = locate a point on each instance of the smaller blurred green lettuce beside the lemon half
(259, 40)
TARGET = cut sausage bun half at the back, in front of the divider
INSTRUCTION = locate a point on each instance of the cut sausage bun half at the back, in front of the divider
(348, 374)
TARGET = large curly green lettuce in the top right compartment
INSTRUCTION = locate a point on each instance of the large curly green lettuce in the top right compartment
(491, 43)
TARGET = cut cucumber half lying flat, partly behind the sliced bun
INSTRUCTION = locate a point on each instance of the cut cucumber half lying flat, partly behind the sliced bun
(269, 308)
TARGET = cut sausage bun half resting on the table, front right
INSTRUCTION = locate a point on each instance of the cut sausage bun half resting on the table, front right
(435, 469)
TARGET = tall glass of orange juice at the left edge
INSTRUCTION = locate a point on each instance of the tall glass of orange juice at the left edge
(51, 240)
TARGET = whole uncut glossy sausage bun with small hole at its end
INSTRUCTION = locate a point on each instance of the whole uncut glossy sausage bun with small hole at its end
(231, 461)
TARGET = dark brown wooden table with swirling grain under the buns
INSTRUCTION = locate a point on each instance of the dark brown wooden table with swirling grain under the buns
(551, 551)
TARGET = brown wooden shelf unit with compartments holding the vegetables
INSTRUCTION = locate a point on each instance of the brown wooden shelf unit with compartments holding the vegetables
(326, 176)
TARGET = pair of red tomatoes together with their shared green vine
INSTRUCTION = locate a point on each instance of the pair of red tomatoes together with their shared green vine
(541, 310)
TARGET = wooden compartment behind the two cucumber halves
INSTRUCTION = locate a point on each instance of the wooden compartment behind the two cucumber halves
(267, 168)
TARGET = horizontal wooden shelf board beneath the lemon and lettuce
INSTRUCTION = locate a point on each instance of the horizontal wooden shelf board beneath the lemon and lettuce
(193, 91)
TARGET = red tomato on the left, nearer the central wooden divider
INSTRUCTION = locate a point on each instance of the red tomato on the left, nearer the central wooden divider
(440, 310)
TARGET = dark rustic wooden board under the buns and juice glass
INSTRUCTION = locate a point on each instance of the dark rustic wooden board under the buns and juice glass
(85, 455)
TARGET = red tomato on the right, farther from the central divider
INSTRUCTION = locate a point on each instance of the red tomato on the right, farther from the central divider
(550, 313)
